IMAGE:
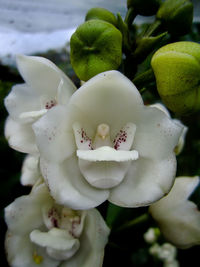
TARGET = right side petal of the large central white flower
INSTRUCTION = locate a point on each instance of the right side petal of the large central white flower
(156, 135)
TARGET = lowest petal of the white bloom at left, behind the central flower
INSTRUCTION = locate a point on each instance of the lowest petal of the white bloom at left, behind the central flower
(20, 136)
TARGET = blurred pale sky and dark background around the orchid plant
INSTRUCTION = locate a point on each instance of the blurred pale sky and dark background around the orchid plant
(44, 28)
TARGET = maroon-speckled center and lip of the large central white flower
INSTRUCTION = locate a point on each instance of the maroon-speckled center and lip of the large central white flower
(104, 163)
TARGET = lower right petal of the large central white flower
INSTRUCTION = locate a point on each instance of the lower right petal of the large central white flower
(147, 180)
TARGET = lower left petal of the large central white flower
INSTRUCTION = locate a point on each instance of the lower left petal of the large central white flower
(68, 186)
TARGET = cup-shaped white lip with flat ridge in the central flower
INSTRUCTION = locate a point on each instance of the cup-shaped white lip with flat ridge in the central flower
(105, 167)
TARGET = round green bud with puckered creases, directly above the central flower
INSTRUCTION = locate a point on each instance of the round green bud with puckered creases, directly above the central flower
(96, 46)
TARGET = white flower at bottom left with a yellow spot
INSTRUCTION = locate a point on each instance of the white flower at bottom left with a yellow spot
(43, 233)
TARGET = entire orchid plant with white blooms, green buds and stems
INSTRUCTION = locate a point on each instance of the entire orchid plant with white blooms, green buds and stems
(111, 150)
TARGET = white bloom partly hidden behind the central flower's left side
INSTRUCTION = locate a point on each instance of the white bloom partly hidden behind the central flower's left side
(45, 86)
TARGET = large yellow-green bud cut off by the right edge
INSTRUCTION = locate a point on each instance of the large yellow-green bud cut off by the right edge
(177, 70)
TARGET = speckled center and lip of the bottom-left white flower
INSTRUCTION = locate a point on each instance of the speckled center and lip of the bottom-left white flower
(61, 238)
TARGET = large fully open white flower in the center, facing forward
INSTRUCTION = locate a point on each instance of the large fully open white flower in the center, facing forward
(107, 145)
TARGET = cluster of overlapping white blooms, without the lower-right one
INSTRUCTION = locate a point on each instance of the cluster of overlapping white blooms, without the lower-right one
(84, 146)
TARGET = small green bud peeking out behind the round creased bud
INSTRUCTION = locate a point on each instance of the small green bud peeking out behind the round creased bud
(101, 14)
